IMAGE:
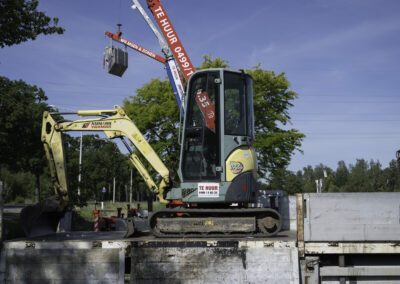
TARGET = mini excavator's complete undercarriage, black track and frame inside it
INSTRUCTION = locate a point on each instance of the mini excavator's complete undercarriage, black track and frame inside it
(238, 222)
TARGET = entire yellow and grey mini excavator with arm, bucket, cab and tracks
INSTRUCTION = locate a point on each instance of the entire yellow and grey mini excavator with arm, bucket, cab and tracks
(218, 167)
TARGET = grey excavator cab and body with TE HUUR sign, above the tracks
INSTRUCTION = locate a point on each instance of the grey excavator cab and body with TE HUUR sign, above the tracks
(218, 163)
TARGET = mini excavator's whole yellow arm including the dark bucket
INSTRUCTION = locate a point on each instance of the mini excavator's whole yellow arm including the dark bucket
(38, 219)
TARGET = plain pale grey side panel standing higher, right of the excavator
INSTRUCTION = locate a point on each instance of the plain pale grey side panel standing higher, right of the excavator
(352, 217)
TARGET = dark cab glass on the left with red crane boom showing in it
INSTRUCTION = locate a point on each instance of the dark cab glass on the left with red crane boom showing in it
(201, 145)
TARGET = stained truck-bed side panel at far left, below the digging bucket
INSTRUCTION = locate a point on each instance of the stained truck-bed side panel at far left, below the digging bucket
(62, 262)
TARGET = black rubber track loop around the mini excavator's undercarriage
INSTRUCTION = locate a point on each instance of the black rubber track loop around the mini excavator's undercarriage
(239, 212)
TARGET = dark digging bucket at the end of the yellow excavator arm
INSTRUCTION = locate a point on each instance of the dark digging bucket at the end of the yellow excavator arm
(42, 218)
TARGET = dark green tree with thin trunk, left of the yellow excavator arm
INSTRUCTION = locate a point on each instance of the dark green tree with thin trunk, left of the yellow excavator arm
(21, 110)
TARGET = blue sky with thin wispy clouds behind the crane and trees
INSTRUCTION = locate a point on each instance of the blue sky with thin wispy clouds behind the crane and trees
(341, 56)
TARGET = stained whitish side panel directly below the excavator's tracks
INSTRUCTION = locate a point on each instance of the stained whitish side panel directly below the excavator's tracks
(215, 262)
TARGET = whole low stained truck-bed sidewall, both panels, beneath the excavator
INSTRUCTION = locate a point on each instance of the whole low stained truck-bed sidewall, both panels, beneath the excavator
(152, 261)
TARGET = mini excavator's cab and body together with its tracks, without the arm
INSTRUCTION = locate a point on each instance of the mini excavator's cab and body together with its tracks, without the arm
(218, 167)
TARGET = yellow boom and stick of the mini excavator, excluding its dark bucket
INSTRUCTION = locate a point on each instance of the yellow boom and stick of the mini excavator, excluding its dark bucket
(115, 124)
